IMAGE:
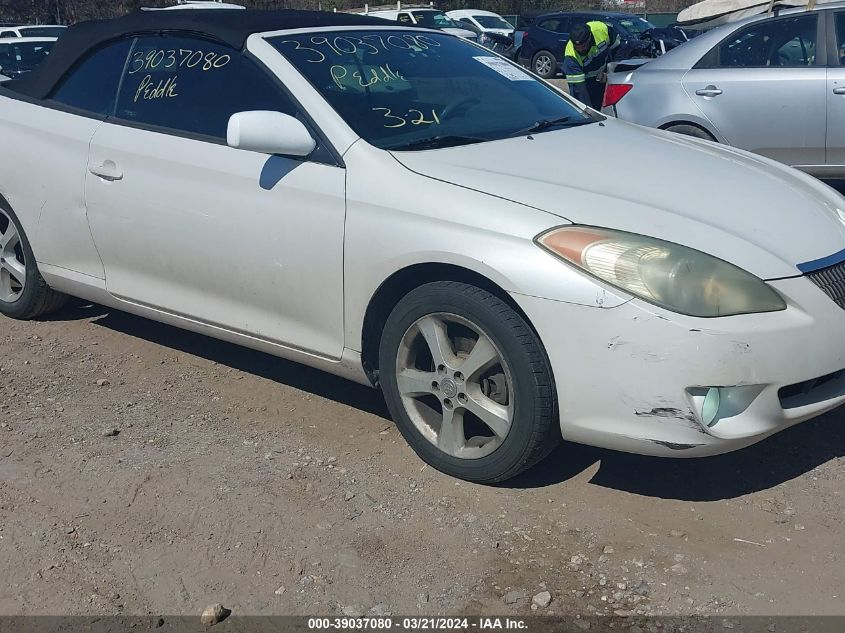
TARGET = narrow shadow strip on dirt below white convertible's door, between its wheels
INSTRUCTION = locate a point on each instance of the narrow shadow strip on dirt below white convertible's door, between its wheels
(273, 368)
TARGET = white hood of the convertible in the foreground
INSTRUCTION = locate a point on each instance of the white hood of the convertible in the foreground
(750, 211)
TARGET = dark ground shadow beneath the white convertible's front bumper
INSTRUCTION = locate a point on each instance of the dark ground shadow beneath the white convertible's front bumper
(778, 459)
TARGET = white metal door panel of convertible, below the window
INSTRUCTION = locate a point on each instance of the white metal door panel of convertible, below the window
(183, 228)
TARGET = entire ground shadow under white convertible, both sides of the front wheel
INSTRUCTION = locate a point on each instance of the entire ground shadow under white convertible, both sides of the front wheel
(780, 458)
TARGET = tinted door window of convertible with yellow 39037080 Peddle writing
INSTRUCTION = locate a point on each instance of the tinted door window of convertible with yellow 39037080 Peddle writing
(193, 86)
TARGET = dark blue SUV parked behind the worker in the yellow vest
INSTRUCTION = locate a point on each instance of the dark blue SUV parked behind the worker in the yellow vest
(544, 43)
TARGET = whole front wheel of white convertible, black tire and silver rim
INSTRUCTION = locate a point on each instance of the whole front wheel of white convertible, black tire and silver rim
(468, 383)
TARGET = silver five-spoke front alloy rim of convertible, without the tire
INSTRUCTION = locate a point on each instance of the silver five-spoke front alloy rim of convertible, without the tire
(455, 385)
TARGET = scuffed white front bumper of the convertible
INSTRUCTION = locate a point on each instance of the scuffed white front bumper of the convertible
(629, 378)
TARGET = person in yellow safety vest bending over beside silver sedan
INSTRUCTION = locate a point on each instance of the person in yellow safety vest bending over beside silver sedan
(585, 60)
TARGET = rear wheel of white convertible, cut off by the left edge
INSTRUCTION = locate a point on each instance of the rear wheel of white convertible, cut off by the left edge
(23, 292)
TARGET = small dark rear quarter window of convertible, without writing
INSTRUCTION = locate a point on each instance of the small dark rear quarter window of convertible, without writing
(92, 85)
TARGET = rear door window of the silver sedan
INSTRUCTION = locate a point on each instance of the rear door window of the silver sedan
(783, 43)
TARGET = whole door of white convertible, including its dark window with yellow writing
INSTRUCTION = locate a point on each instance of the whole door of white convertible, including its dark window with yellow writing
(239, 240)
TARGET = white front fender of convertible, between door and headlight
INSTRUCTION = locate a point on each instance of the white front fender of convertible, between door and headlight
(403, 219)
